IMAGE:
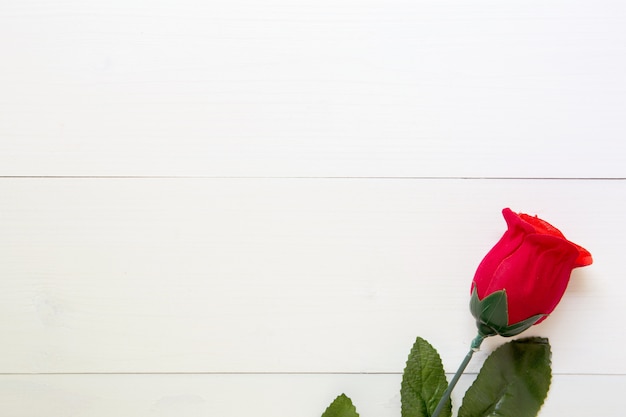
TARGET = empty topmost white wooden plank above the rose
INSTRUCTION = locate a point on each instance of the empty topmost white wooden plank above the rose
(324, 88)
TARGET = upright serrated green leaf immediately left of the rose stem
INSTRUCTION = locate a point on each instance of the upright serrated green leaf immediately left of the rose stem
(423, 382)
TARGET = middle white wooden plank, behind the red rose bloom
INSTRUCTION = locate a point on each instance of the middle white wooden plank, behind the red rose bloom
(283, 275)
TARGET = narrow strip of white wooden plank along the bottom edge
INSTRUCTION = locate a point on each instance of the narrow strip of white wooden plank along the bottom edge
(261, 395)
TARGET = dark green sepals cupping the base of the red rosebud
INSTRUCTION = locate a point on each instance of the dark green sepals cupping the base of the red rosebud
(492, 316)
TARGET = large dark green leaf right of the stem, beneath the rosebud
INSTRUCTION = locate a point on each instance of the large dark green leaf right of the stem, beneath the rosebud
(513, 381)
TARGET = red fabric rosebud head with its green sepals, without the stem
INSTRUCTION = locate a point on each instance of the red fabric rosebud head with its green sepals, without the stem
(522, 279)
